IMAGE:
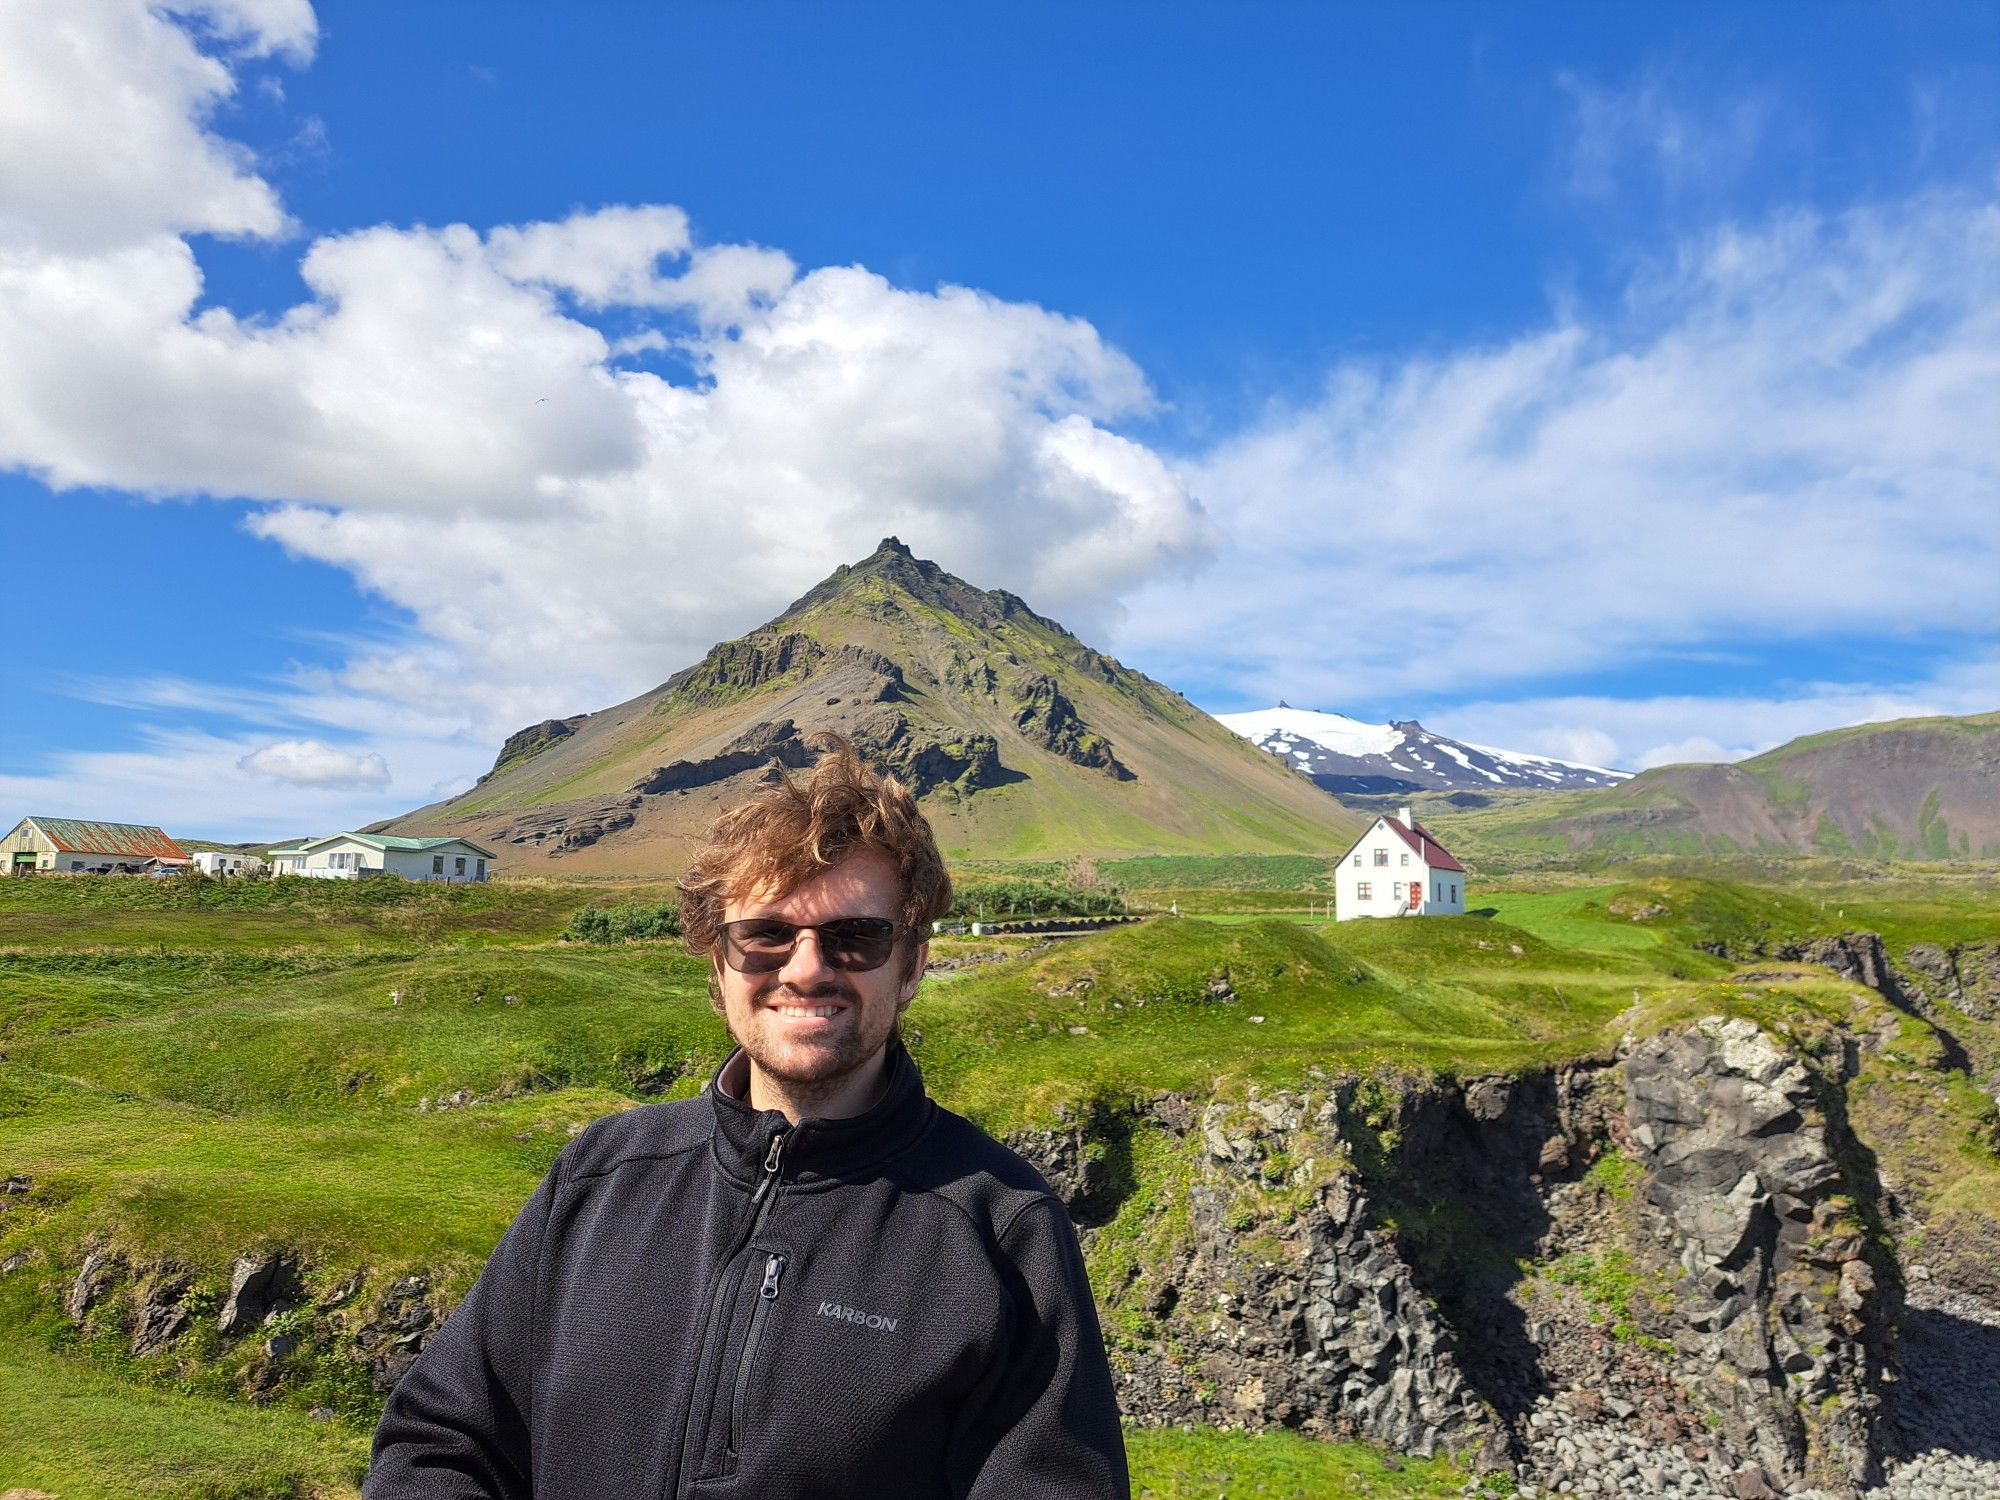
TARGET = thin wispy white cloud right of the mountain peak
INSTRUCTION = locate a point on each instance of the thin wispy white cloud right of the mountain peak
(1785, 431)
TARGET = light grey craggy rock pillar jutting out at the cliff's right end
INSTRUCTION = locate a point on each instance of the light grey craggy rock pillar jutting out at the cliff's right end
(1781, 1307)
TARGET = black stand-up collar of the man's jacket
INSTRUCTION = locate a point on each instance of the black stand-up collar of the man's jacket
(817, 1149)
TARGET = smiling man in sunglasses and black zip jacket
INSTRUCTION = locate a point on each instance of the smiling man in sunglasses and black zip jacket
(807, 1283)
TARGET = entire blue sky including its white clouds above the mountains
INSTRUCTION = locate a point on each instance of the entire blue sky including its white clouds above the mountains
(1577, 379)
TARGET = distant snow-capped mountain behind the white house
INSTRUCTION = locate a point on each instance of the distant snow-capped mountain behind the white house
(1353, 759)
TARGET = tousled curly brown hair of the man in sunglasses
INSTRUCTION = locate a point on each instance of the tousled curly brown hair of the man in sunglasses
(799, 827)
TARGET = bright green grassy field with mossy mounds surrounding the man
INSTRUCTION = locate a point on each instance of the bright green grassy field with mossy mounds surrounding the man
(373, 1077)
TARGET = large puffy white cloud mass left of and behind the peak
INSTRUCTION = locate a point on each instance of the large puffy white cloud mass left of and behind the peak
(445, 417)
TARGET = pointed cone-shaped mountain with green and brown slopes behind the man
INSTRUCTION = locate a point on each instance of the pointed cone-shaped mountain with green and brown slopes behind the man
(1017, 737)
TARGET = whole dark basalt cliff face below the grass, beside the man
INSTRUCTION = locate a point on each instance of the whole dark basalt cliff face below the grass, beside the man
(1681, 1247)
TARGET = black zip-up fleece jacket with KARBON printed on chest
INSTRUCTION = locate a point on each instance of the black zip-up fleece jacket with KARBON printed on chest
(703, 1301)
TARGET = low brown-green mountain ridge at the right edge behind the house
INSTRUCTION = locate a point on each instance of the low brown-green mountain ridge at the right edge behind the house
(1909, 789)
